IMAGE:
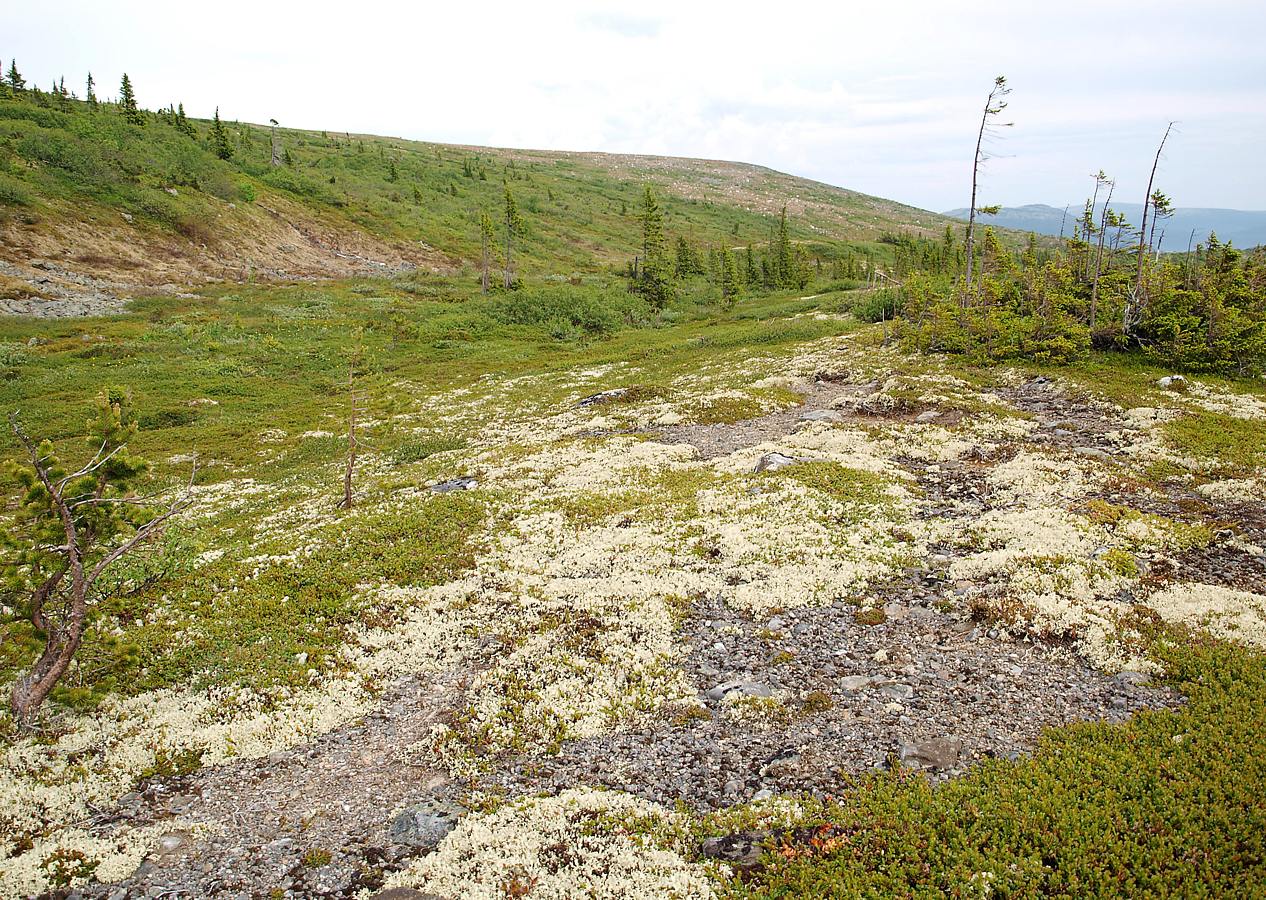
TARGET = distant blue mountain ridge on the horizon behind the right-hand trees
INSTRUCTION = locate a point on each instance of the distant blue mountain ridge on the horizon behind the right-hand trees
(1244, 228)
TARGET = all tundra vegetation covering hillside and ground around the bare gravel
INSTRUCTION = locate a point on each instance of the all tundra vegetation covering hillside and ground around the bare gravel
(541, 482)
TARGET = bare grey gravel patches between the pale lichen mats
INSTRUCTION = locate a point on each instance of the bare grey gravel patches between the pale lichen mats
(789, 701)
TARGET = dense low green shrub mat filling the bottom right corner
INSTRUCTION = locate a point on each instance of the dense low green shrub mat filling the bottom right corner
(1169, 804)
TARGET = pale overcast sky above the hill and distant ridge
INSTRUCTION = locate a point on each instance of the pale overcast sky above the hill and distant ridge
(884, 98)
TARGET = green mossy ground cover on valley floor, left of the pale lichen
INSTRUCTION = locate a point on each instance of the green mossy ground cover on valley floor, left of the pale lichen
(253, 379)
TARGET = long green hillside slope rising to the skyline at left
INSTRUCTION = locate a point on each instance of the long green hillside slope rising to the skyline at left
(154, 203)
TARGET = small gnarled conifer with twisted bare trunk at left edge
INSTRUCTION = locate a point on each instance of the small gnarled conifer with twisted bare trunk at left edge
(69, 530)
